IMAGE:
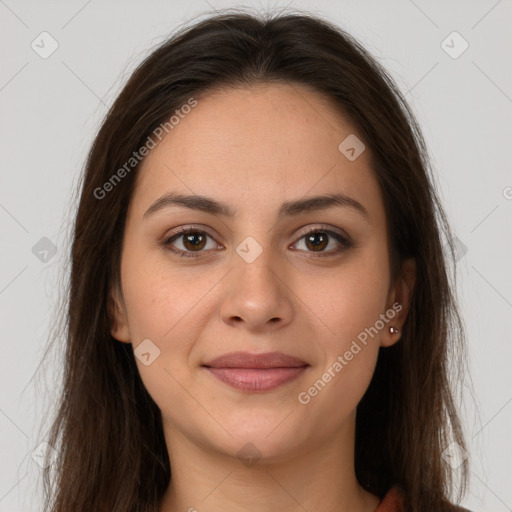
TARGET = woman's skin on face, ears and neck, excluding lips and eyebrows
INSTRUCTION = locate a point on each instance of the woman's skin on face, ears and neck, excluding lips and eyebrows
(254, 148)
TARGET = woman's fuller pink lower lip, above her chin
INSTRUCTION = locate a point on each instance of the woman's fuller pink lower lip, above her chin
(255, 379)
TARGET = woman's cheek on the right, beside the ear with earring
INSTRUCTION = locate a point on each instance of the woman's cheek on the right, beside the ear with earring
(347, 305)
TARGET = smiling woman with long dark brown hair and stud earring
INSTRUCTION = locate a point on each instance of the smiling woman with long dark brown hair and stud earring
(260, 314)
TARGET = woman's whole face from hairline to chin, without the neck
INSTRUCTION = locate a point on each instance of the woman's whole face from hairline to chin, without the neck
(258, 274)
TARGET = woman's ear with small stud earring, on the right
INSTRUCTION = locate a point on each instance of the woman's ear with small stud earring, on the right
(399, 300)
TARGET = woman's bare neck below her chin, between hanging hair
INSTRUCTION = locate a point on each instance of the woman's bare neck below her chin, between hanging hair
(321, 477)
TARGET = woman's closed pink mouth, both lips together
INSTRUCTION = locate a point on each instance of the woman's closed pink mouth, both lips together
(256, 372)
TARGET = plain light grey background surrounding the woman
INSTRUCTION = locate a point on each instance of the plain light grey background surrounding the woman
(51, 109)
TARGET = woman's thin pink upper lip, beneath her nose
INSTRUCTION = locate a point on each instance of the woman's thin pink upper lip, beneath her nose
(248, 360)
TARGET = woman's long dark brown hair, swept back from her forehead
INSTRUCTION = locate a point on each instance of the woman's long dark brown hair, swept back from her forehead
(107, 430)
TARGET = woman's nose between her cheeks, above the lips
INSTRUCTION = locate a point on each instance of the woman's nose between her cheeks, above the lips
(257, 295)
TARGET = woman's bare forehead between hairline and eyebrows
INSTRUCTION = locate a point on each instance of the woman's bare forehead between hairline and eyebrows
(258, 143)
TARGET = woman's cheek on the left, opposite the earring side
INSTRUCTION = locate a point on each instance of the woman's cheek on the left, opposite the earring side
(169, 308)
